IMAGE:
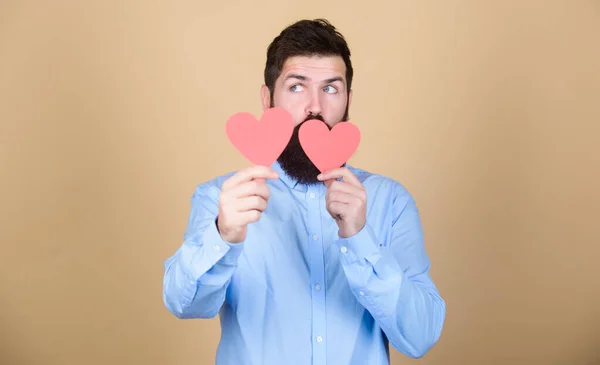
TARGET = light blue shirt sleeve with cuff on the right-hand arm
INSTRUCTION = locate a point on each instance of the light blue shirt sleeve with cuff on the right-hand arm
(391, 279)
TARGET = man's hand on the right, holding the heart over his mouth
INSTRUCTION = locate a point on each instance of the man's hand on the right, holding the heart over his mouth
(346, 200)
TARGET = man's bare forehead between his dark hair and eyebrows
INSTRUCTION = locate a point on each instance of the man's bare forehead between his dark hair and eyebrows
(315, 68)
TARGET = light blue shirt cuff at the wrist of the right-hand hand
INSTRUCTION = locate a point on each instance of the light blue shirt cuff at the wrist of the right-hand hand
(361, 246)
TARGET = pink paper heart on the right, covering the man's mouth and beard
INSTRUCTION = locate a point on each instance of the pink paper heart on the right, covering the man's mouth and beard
(328, 149)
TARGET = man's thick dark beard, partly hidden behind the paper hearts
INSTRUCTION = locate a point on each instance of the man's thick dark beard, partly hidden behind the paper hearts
(295, 162)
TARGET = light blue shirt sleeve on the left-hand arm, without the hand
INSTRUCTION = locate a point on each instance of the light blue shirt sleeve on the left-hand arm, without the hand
(197, 275)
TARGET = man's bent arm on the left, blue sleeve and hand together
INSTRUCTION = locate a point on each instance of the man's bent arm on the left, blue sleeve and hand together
(198, 274)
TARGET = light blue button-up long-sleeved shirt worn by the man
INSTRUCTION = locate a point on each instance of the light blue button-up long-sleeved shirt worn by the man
(294, 292)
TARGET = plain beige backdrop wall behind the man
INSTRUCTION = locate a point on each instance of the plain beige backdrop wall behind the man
(112, 112)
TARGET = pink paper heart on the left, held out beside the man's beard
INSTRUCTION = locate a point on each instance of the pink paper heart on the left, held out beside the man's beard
(262, 141)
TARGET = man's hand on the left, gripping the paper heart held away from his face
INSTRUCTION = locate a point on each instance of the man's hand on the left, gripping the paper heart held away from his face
(243, 198)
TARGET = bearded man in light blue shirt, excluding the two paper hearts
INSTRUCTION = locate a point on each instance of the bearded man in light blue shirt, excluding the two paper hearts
(305, 267)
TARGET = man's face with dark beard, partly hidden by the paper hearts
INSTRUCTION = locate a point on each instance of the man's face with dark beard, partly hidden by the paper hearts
(309, 88)
